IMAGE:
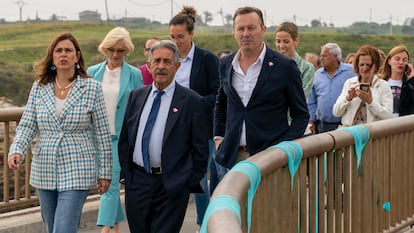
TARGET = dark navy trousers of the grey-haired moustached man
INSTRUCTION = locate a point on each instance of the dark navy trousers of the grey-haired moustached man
(149, 208)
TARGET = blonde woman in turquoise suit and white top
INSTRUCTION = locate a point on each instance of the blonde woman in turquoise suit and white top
(118, 79)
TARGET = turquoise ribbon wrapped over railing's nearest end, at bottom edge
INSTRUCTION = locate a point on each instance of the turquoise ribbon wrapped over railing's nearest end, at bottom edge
(219, 203)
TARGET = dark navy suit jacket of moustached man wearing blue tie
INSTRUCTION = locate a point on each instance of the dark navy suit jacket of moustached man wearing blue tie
(185, 141)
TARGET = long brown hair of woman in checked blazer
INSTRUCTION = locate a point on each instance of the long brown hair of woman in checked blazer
(42, 68)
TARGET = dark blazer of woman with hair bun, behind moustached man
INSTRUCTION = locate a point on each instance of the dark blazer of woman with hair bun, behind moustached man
(204, 79)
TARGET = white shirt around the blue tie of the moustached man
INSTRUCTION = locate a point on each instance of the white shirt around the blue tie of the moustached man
(155, 145)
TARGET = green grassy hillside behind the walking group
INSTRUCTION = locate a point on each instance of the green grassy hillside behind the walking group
(21, 44)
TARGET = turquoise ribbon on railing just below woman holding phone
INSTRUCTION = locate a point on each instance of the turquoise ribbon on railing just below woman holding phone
(361, 137)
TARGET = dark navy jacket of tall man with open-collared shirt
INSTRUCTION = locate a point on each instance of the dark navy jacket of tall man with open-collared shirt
(278, 90)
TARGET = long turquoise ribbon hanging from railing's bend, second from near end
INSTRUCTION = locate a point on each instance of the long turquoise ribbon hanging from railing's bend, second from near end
(253, 172)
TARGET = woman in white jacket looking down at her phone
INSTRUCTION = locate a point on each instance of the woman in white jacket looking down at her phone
(357, 106)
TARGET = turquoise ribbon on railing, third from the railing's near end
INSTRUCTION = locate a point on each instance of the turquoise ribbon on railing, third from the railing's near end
(294, 153)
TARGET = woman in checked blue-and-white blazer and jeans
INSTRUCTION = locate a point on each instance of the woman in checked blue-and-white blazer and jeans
(66, 110)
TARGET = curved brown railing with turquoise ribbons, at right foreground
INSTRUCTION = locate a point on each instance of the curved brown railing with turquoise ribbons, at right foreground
(330, 193)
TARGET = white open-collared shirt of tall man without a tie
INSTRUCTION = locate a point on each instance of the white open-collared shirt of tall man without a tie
(244, 84)
